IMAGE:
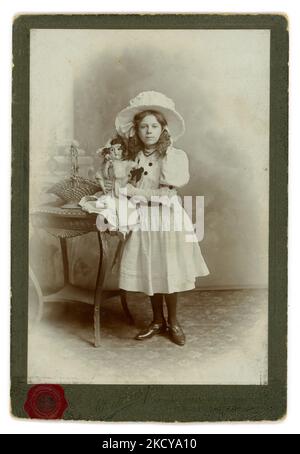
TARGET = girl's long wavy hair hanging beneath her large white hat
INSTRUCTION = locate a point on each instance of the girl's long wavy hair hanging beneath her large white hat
(135, 144)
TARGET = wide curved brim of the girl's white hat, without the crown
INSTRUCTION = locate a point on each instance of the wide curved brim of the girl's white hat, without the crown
(174, 119)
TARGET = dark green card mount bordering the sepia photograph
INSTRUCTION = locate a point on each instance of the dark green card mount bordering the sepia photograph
(167, 403)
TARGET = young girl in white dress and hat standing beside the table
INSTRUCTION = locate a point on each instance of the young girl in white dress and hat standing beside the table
(158, 262)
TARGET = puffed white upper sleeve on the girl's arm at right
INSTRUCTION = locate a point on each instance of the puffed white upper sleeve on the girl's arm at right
(175, 168)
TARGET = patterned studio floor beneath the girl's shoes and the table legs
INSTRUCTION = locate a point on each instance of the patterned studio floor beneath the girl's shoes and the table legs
(226, 334)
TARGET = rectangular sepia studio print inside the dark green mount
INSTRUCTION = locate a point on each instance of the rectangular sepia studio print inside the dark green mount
(148, 206)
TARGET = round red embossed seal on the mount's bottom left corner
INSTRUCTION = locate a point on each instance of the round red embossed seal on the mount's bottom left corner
(46, 402)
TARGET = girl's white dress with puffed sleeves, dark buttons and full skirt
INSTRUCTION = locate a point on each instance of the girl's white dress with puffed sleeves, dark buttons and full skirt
(162, 261)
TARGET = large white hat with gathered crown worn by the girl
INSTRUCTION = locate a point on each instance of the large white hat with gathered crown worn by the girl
(150, 100)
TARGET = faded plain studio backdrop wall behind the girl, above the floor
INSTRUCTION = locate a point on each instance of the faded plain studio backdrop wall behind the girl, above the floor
(219, 80)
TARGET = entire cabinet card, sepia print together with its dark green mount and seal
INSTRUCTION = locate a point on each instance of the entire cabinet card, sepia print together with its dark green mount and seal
(149, 197)
